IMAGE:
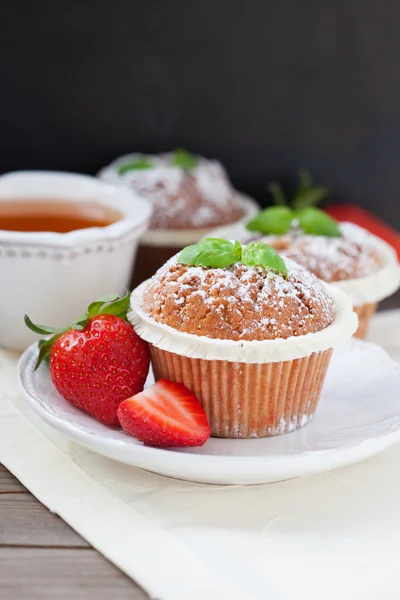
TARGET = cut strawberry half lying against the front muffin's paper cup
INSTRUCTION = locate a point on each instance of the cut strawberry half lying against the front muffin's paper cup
(166, 415)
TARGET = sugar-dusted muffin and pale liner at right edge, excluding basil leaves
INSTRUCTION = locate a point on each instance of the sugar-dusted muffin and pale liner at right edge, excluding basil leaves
(355, 261)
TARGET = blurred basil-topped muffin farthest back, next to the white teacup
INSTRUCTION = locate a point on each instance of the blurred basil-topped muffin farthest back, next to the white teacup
(189, 195)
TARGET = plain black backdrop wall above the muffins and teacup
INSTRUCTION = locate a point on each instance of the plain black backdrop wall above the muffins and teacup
(265, 86)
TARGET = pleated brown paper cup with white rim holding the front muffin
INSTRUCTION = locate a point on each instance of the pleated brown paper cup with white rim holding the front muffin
(247, 388)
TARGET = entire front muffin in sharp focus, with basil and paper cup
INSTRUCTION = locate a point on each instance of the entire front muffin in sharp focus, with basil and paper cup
(251, 339)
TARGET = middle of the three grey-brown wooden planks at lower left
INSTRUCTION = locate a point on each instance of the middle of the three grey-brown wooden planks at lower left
(24, 521)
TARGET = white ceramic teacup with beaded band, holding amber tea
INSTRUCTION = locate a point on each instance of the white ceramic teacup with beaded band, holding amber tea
(53, 277)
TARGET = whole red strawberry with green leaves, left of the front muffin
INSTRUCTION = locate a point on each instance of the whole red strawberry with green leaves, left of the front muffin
(98, 361)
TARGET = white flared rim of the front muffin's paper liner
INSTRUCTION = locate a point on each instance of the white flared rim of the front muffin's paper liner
(166, 338)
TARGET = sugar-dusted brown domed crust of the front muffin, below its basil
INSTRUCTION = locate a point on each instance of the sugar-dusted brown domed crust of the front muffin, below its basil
(238, 302)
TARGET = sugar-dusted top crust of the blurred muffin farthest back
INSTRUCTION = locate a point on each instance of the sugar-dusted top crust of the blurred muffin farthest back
(194, 198)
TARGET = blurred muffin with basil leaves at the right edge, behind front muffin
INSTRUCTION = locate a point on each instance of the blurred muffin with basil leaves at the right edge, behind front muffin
(349, 257)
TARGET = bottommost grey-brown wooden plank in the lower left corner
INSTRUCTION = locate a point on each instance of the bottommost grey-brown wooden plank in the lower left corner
(46, 574)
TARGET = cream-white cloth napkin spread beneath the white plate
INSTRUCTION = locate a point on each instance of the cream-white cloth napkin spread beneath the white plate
(330, 536)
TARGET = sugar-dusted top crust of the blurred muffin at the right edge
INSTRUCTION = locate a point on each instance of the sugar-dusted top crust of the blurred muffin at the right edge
(330, 258)
